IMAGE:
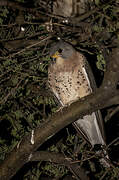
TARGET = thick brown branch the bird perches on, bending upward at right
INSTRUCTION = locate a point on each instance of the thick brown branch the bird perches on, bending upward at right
(103, 97)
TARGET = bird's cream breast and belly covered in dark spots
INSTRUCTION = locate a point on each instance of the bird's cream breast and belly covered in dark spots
(68, 86)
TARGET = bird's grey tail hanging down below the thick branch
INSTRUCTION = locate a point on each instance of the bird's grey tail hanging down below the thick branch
(91, 128)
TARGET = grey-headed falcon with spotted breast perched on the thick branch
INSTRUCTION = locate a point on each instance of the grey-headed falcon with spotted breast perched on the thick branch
(70, 78)
